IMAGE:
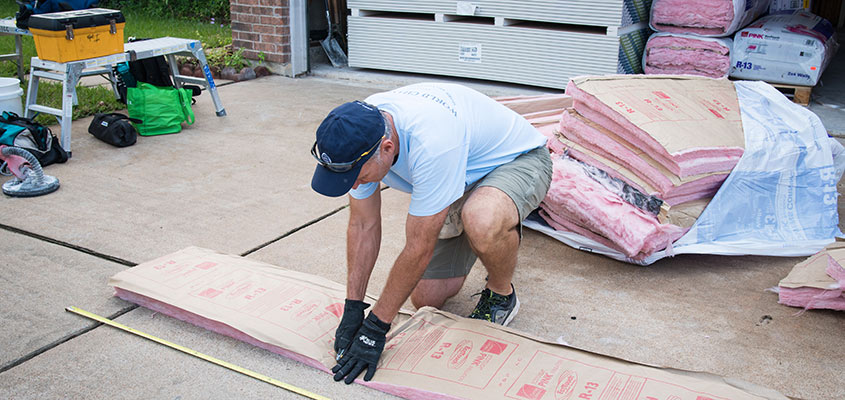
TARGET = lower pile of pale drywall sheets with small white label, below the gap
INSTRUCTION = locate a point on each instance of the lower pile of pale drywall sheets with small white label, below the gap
(529, 56)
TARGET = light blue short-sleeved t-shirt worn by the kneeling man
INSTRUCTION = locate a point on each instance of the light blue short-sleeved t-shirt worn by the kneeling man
(450, 137)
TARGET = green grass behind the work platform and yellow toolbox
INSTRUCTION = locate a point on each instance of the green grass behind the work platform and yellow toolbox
(101, 99)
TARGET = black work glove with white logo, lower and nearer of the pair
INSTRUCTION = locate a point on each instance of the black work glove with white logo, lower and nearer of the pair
(365, 351)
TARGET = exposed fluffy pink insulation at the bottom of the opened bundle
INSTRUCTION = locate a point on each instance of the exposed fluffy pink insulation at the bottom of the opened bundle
(574, 194)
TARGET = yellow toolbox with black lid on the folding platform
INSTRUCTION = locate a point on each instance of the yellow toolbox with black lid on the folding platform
(77, 35)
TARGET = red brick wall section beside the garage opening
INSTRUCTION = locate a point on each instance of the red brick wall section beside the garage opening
(262, 26)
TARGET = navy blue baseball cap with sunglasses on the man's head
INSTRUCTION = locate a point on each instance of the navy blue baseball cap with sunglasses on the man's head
(346, 139)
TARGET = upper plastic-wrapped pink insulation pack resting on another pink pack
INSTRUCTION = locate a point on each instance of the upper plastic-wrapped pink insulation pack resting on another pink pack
(712, 18)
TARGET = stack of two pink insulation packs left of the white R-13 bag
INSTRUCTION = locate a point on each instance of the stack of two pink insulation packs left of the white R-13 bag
(694, 35)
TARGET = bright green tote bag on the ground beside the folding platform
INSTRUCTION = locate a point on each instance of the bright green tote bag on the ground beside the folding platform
(163, 109)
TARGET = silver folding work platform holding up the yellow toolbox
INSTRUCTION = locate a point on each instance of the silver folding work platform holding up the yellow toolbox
(70, 72)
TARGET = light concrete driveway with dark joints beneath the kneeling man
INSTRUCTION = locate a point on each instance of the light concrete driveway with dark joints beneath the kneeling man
(241, 185)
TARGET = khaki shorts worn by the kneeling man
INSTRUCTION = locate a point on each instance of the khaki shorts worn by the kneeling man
(525, 180)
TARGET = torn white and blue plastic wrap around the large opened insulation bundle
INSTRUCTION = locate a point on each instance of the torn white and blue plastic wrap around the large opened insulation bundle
(779, 200)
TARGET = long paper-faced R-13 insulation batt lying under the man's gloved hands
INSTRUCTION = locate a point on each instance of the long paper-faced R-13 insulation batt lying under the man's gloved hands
(428, 355)
